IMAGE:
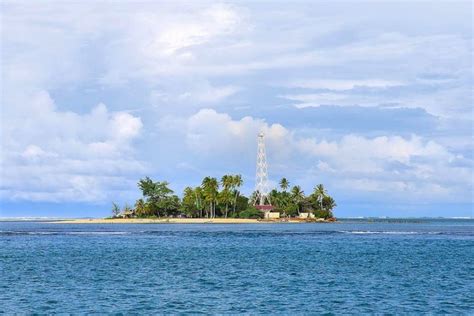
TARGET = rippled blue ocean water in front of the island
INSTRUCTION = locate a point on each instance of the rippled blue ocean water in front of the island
(354, 266)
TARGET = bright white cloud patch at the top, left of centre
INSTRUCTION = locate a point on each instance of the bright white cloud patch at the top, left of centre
(158, 44)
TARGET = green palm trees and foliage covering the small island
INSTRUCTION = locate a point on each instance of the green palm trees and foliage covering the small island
(222, 198)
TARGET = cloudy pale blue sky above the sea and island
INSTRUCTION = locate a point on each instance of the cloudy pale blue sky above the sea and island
(372, 99)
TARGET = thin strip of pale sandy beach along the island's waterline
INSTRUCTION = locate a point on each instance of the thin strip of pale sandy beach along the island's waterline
(181, 221)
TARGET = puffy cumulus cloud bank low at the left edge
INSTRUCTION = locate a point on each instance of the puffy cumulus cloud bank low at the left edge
(52, 155)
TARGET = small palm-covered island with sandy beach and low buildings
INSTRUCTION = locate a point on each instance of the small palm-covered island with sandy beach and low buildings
(215, 201)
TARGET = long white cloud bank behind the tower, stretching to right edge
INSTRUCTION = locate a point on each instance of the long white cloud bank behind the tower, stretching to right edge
(406, 167)
